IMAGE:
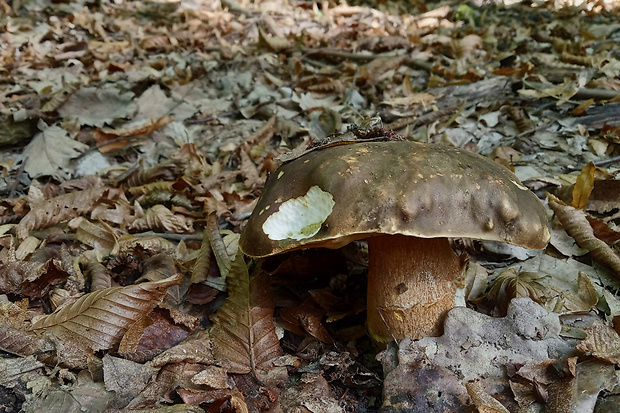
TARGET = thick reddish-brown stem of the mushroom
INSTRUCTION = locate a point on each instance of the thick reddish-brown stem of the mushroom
(412, 284)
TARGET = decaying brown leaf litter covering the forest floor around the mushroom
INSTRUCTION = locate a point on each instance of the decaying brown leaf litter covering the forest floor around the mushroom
(138, 136)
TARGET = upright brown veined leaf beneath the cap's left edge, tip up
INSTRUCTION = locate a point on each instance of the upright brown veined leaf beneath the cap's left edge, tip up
(243, 331)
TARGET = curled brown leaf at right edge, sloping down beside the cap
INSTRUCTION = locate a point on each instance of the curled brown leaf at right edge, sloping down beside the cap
(575, 222)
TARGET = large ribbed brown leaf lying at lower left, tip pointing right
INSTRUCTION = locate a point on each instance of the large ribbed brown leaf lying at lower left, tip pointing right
(98, 321)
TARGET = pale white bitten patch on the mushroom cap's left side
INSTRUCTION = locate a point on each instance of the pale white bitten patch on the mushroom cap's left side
(300, 218)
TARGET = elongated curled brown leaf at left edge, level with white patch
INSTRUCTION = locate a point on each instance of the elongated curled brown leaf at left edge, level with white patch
(63, 208)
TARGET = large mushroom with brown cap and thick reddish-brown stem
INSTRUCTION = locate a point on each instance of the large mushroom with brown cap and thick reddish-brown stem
(407, 199)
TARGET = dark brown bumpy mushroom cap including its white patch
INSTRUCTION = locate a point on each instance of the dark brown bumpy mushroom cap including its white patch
(332, 196)
